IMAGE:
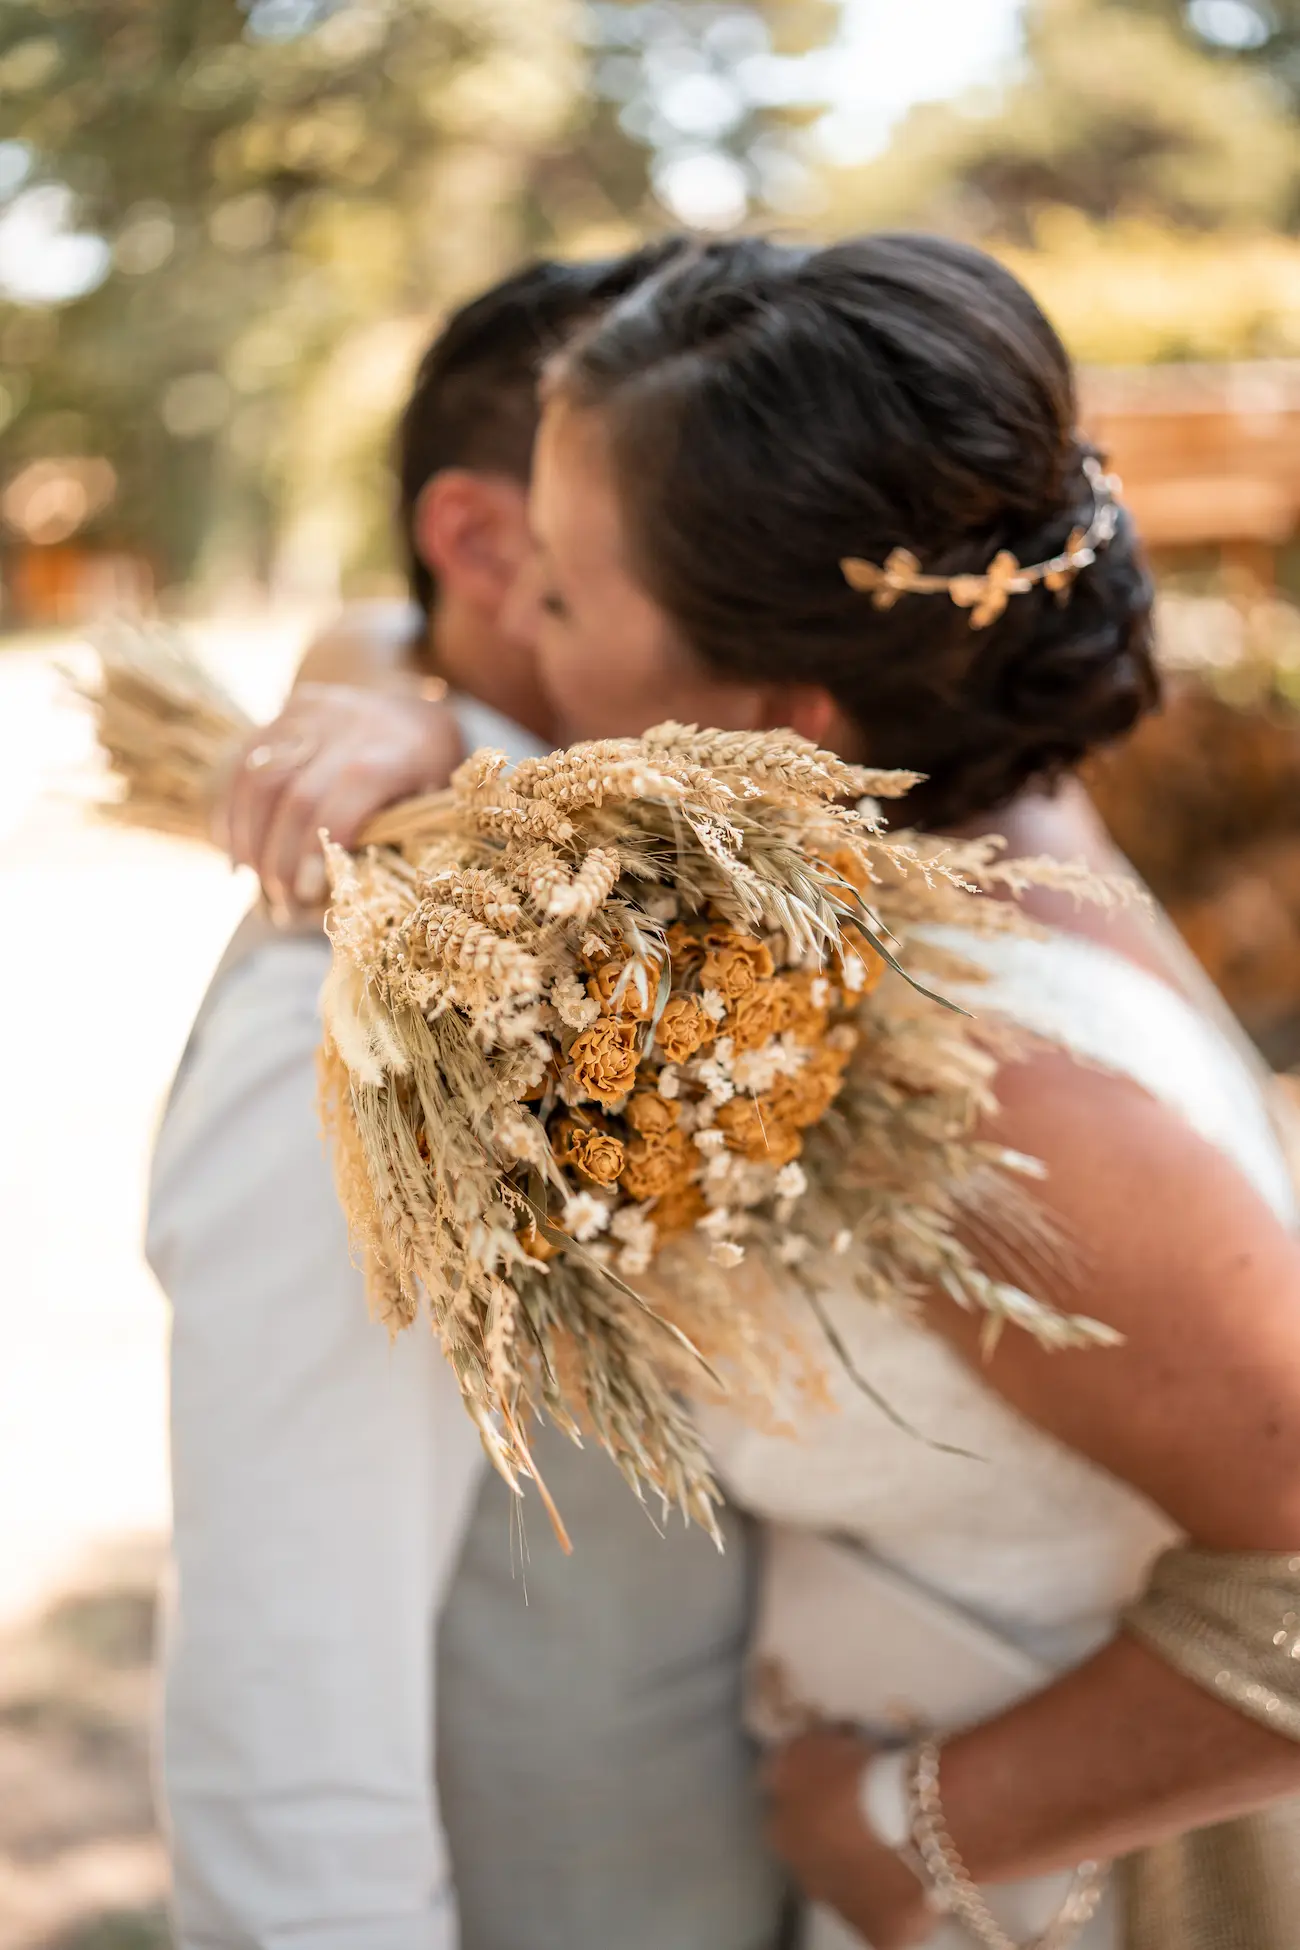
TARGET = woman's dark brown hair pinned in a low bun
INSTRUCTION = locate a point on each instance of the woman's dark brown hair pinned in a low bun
(773, 410)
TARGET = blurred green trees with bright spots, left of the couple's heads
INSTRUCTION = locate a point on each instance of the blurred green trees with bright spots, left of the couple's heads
(225, 229)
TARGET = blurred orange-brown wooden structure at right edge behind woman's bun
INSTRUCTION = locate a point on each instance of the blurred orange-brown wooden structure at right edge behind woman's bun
(1209, 459)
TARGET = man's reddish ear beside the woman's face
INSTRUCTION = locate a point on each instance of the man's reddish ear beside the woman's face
(473, 533)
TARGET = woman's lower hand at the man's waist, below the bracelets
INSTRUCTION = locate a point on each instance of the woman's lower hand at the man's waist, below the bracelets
(818, 1830)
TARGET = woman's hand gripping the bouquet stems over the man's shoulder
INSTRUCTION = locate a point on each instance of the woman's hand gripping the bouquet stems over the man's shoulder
(334, 760)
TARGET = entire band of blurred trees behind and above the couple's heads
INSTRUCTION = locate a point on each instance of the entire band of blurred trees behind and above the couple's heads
(227, 225)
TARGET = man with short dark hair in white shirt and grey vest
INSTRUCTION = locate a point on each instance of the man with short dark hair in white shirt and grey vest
(592, 1779)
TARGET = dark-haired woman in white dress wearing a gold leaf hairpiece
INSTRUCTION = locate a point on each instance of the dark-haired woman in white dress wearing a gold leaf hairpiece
(1116, 1536)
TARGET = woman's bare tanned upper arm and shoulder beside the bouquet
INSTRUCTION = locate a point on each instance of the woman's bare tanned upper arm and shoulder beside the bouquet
(1168, 1243)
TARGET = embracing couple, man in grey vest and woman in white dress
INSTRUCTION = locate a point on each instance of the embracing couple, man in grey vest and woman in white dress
(1100, 1547)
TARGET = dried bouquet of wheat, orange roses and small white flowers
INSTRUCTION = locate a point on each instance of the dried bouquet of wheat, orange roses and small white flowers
(631, 1058)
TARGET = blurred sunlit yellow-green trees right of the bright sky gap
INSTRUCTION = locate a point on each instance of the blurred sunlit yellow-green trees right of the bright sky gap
(1139, 169)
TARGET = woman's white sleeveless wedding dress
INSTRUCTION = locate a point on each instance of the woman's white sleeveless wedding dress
(1030, 1540)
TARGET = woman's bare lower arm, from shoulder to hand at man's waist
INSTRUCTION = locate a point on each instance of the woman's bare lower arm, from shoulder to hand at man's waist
(1200, 1411)
